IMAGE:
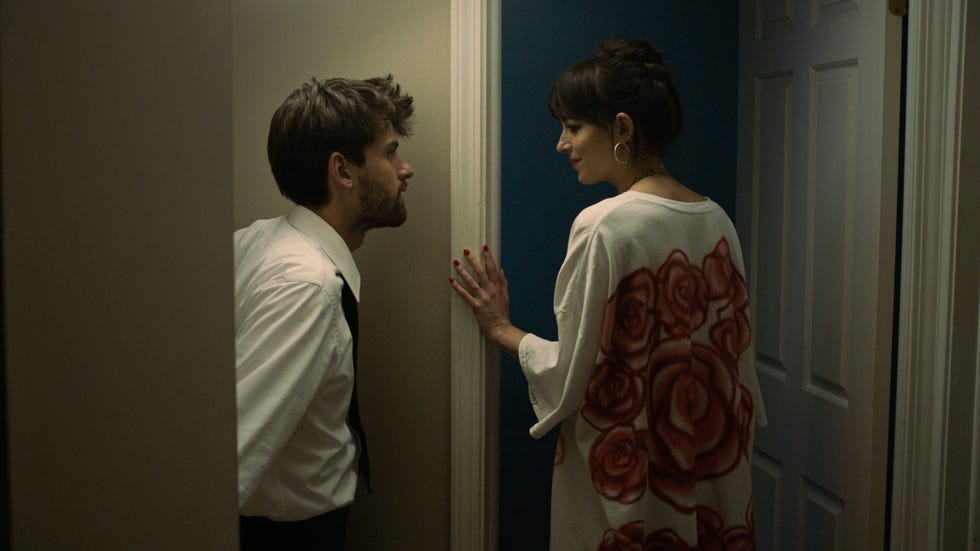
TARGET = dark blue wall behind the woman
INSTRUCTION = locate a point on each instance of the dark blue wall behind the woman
(541, 196)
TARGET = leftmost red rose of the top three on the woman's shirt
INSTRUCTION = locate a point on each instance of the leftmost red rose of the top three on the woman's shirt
(629, 322)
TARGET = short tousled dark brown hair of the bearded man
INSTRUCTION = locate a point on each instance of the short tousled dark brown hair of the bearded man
(335, 115)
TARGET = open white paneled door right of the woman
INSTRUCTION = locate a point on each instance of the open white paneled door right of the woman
(819, 87)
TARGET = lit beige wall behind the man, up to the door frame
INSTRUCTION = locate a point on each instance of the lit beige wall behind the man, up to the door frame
(404, 363)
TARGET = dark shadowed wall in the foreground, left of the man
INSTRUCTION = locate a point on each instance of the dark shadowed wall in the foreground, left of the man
(117, 212)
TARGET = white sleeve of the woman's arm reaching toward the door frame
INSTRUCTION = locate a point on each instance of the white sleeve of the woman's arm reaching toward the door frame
(558, 373)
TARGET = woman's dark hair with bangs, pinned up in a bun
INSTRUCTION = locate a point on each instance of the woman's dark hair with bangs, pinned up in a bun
(627, 76)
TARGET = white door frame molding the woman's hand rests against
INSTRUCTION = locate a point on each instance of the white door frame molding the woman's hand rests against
(474, 208)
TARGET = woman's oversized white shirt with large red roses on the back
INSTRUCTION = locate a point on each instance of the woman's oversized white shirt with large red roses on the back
(659, 436)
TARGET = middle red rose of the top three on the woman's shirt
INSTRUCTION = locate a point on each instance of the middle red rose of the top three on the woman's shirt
(681, 304)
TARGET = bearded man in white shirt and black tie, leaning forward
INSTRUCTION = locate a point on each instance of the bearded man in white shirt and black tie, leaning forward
(333, 149)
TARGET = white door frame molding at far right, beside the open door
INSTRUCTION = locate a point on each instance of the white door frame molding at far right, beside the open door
(934, 113)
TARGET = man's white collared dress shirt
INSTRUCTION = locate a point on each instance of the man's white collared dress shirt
(294, 368)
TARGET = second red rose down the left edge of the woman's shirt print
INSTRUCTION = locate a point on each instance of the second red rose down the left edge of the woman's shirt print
(615, 396)
